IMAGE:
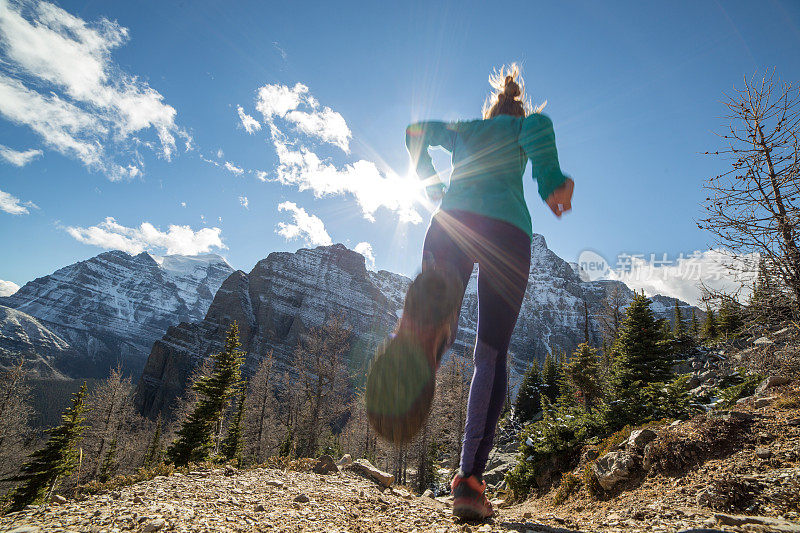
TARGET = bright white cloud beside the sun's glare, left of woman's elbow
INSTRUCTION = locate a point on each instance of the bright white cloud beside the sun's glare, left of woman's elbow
(372, 188)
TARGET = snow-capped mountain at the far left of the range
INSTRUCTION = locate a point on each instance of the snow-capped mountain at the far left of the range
(108, 309)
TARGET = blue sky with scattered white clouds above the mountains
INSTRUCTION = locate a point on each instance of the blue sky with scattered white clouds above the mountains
(130, 111)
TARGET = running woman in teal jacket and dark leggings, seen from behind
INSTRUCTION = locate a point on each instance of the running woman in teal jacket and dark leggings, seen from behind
(483, 219)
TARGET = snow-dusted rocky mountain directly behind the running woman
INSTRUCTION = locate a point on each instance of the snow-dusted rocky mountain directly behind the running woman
(287, 293)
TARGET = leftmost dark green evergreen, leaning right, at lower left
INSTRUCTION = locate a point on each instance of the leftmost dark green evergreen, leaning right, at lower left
(55, 460)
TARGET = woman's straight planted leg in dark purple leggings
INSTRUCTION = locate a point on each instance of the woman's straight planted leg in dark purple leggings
(503, 277)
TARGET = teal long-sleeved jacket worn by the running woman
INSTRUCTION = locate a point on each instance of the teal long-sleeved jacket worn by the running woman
(489, 158)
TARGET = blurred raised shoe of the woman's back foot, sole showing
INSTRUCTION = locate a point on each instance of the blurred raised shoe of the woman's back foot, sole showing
(402, 375)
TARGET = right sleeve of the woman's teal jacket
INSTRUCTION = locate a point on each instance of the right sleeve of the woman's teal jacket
(539, 143)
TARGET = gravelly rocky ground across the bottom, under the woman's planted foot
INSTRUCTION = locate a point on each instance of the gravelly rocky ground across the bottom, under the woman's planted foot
(764, 465)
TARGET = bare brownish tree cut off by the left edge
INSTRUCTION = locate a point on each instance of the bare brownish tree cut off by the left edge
(15, 413)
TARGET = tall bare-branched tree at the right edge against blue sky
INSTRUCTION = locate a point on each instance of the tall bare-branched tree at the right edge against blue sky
(752, 208)
